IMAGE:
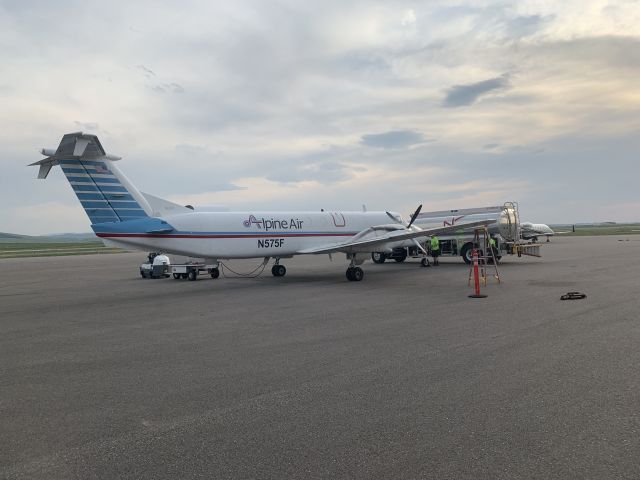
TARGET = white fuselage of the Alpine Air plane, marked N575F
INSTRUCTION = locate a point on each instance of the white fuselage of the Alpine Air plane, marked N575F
(251, 234)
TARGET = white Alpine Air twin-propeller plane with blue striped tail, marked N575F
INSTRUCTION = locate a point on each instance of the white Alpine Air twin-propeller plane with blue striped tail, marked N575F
(123, 216)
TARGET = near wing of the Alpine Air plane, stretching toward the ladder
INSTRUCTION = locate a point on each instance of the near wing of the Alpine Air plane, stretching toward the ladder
(370, 244)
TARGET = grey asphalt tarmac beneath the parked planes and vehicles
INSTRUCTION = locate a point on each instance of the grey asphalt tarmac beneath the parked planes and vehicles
(106, 375)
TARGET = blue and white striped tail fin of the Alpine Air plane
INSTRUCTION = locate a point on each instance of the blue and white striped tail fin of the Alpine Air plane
(104, 192)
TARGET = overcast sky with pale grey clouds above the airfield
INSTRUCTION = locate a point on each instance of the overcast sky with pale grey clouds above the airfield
(306, 105)
